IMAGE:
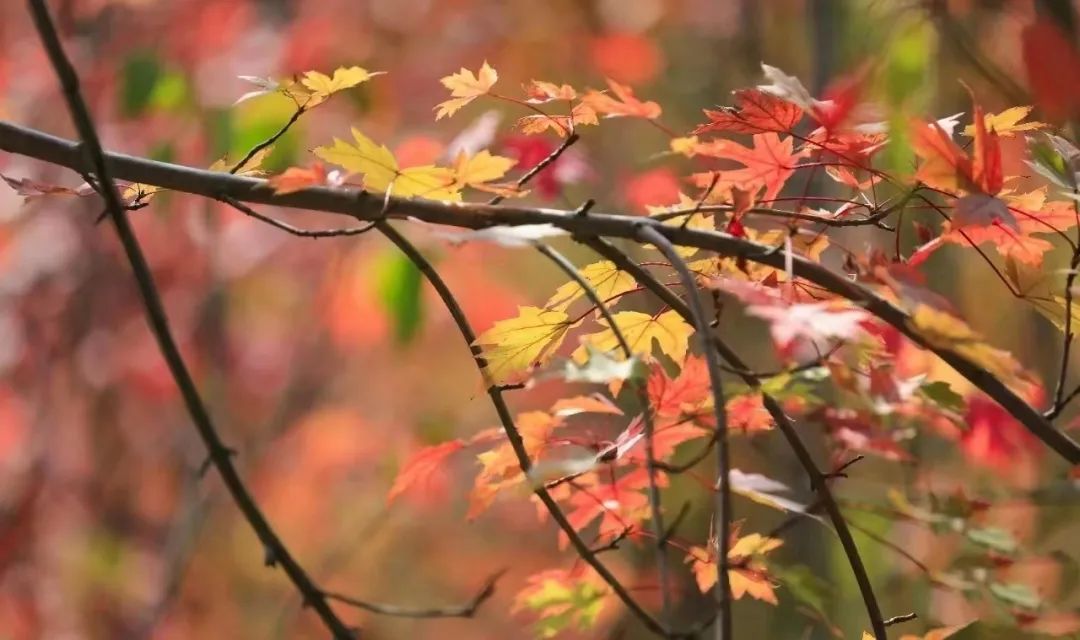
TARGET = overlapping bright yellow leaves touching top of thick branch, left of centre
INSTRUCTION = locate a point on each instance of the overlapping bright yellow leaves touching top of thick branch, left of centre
(381, 170)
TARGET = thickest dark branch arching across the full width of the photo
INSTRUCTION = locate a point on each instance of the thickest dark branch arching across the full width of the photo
(354, 203)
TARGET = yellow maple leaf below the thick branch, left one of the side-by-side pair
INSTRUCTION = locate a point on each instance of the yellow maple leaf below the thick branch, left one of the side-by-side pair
(514, 346)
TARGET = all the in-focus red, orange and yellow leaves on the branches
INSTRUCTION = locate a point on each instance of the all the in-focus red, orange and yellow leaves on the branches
(869, 387)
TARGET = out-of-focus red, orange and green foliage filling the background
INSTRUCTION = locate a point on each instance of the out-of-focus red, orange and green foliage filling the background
(328, 363)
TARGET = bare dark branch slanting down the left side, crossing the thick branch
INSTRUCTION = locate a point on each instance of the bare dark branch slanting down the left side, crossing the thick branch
(159, 325)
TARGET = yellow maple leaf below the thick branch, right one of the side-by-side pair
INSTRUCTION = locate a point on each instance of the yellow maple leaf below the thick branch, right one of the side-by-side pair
(669, 330)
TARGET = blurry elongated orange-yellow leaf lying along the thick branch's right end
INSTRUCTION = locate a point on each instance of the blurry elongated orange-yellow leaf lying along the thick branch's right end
(944, 331)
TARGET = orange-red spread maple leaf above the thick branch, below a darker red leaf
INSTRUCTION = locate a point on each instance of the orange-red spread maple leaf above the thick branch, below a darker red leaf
(769, 164)
